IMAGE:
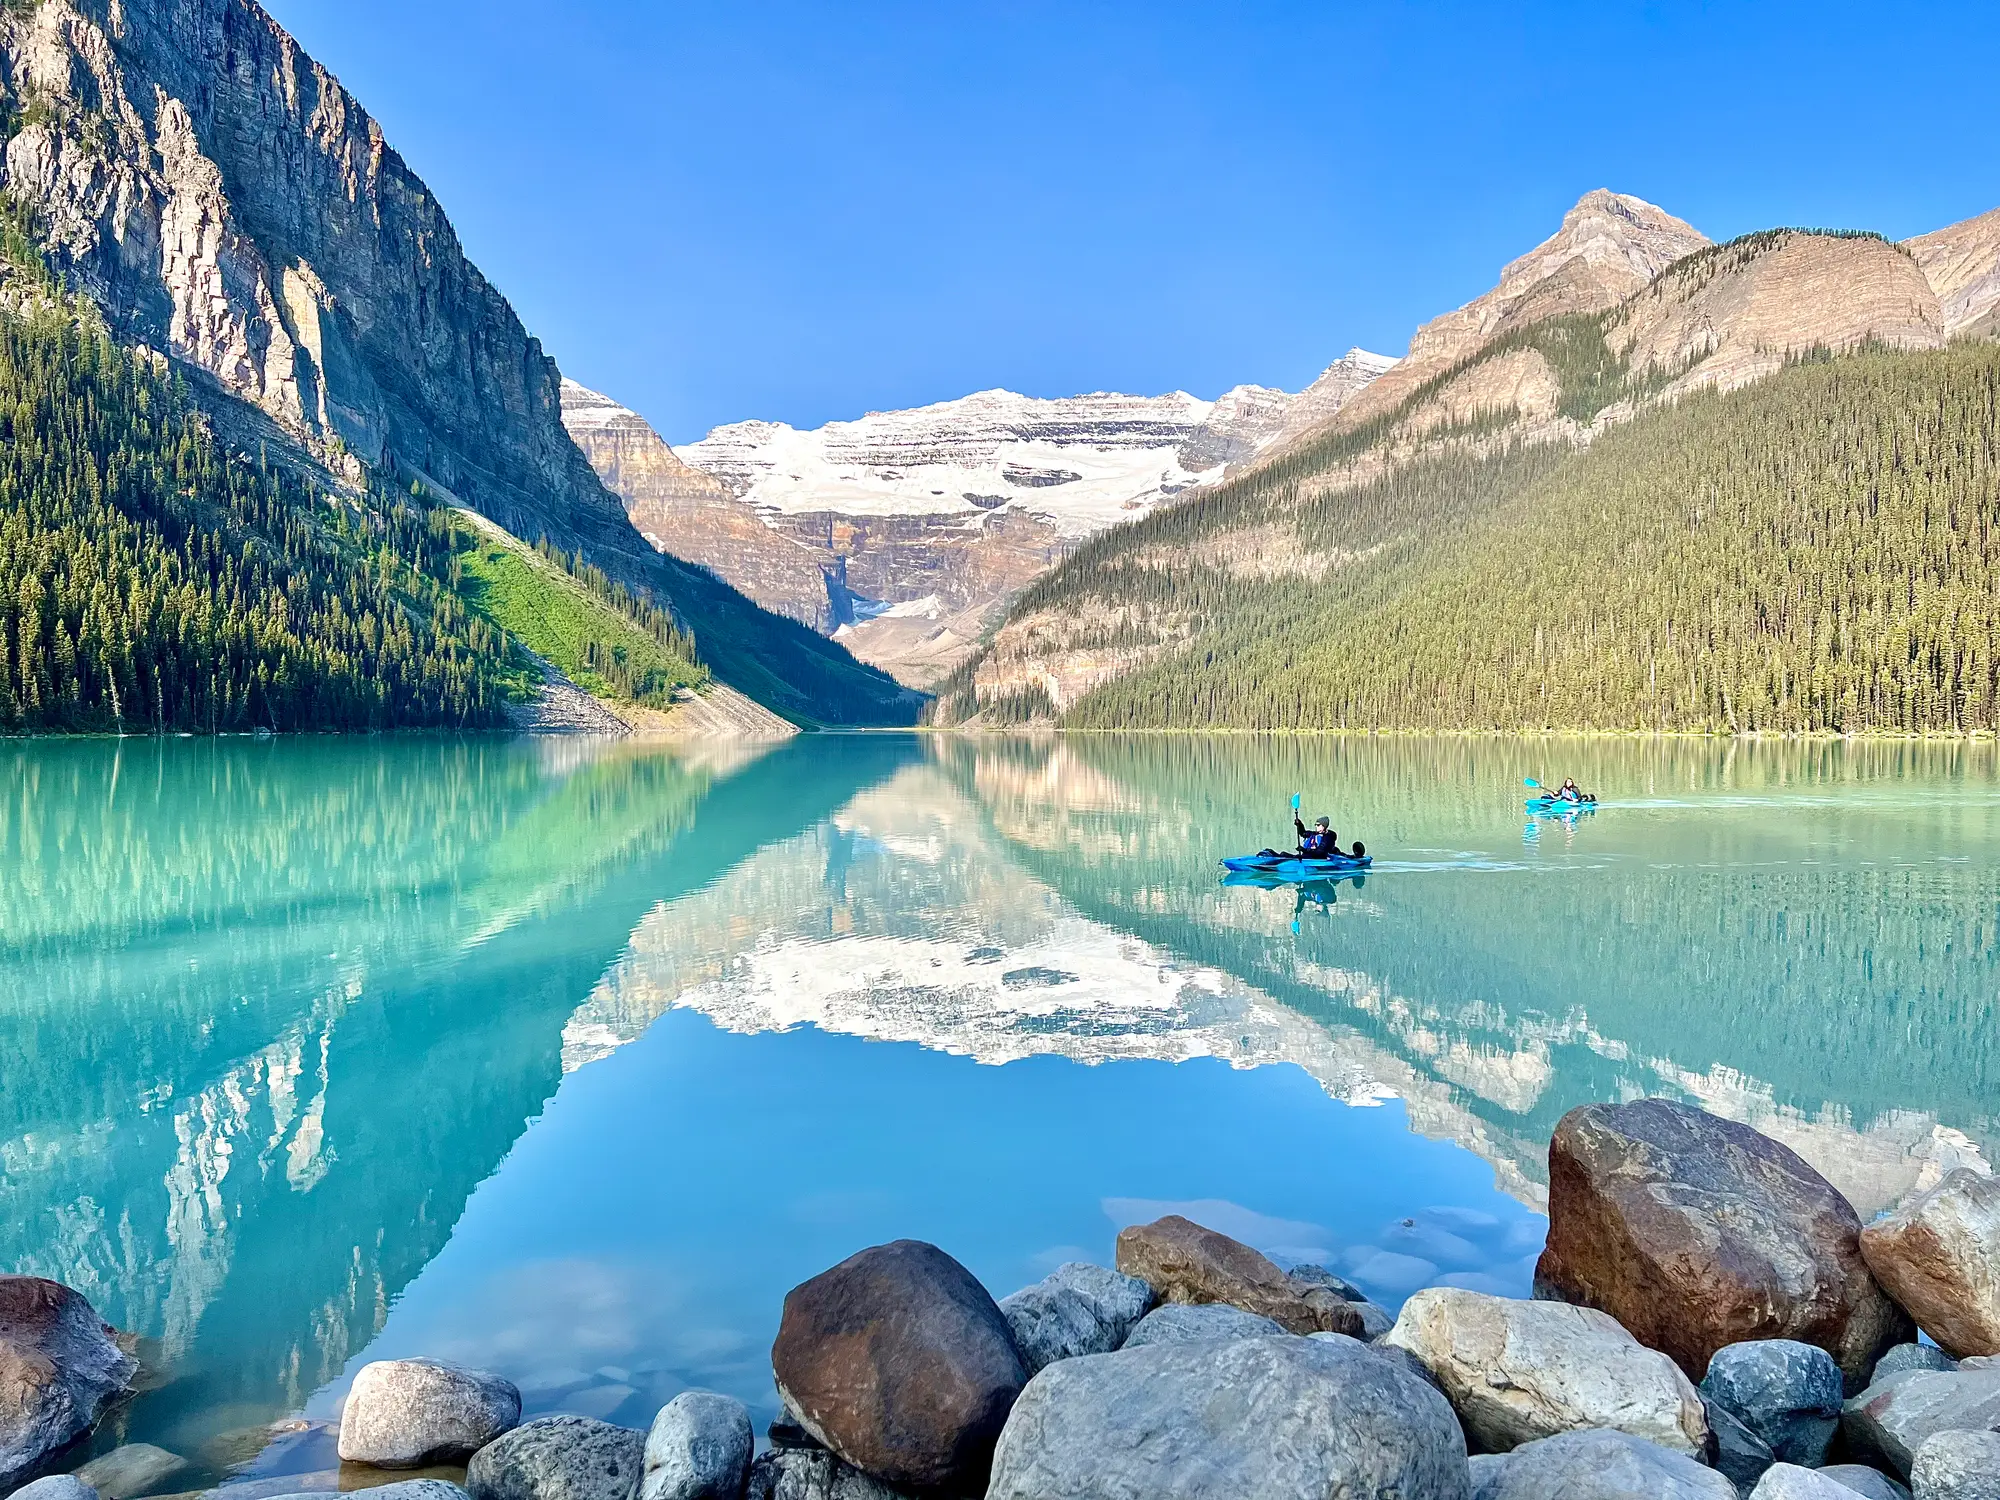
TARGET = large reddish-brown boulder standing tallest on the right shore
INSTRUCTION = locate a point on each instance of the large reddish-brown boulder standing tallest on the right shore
(1699, 1233)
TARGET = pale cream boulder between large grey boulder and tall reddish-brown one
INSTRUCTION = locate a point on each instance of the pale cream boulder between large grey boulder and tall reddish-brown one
(1523, 1371)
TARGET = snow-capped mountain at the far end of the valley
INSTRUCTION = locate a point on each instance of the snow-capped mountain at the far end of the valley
(905, 535)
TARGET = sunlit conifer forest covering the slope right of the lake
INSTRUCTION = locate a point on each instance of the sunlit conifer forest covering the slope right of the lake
(1813, 553)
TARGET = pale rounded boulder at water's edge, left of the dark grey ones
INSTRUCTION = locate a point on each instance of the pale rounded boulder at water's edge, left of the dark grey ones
(415, 1413)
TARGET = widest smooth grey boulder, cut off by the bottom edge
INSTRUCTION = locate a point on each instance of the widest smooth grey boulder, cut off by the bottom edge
(1277, 1419)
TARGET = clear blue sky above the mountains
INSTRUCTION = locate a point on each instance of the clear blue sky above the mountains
(813, 211)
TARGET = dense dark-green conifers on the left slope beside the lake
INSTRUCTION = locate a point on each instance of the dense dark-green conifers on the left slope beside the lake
(153, 583)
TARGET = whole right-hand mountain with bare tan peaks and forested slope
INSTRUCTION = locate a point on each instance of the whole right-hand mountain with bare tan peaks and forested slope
(1615, 493)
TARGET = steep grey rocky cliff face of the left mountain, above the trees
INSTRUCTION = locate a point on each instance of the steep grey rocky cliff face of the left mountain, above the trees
(225, 203)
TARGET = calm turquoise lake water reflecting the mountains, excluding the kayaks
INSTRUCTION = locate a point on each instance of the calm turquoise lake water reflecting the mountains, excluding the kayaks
(569, 1061)
